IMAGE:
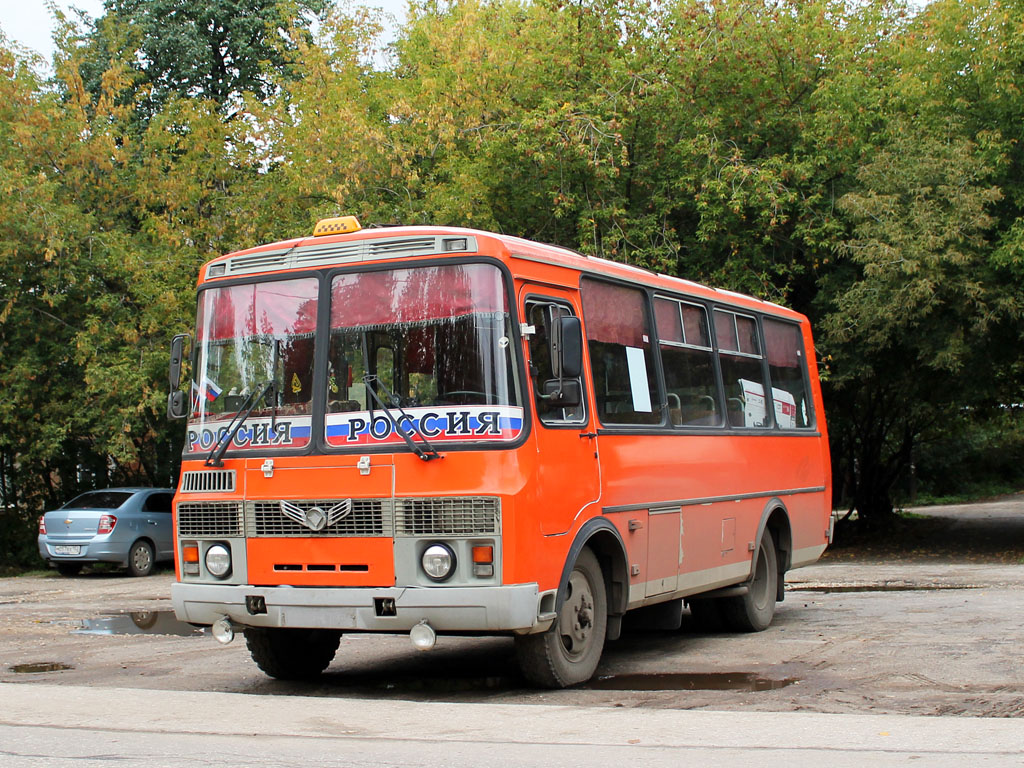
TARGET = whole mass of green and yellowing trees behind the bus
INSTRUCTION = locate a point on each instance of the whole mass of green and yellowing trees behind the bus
(857, 161)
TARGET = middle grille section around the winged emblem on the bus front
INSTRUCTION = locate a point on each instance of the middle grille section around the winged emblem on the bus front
(371, 518)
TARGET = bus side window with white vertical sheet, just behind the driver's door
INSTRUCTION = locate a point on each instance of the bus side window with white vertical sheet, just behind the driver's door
(621, 356)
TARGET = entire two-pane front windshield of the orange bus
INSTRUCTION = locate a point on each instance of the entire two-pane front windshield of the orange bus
(434, 346)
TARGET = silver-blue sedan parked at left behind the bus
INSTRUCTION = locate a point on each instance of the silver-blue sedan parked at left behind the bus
(129, 527)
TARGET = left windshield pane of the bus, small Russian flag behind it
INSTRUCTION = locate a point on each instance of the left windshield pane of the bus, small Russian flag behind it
(257, 347)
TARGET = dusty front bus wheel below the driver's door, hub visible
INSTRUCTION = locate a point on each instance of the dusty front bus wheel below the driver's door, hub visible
(570, 652)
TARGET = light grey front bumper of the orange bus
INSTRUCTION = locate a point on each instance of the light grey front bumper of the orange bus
(509, 609)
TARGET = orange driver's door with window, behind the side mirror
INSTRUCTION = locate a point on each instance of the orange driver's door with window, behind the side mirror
(568, 467)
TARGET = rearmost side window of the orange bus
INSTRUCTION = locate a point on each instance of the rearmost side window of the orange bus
(787, 367)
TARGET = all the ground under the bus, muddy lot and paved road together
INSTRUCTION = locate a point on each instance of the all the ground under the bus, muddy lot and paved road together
(871, 662)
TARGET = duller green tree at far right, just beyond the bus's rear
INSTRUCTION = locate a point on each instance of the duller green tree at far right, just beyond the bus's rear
(921, 313)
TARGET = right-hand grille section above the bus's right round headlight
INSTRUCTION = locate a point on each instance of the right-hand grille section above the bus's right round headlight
(448, 517)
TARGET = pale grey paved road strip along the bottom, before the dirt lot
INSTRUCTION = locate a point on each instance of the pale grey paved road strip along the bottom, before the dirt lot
(61, 727)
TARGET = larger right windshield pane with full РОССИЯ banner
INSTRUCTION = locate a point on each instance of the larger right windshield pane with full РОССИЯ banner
(435, 342)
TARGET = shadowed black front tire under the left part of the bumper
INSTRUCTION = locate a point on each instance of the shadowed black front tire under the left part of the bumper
(292, 654)
